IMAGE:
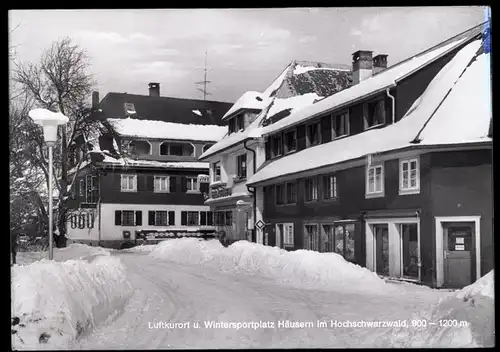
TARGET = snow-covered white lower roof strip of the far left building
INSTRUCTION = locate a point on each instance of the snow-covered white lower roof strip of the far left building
(167, 130)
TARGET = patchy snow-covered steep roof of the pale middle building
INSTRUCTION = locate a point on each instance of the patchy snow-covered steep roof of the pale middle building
(298, 85)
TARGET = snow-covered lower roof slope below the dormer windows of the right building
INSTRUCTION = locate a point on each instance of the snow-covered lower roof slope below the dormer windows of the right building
(455, 108)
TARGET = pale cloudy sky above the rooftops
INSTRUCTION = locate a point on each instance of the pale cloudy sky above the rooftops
(247, 48)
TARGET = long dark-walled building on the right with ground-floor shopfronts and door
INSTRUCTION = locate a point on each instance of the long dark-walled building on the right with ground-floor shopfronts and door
(393, 173)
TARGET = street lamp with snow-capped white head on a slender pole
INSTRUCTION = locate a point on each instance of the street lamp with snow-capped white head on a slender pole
(49, 121)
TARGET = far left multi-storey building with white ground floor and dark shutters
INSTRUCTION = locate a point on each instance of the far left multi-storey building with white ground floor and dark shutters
(142, 177)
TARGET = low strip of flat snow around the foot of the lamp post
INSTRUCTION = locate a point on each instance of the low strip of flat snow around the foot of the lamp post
(73, 251)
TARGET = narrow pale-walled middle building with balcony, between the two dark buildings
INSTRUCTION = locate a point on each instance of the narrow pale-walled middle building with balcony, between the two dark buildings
(235, 158)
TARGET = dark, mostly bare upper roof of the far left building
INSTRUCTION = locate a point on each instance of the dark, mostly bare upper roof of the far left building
(176, 110)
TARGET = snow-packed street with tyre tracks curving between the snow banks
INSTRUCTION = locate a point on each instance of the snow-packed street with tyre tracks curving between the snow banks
(178, 293)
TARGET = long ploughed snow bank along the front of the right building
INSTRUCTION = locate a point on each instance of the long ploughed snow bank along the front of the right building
(300, 268)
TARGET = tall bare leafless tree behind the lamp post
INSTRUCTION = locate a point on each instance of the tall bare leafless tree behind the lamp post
(59, 81)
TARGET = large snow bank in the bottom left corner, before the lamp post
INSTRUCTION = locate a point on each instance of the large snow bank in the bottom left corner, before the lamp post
(53, 303)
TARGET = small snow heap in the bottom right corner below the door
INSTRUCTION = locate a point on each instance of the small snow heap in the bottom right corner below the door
(473, 305)
